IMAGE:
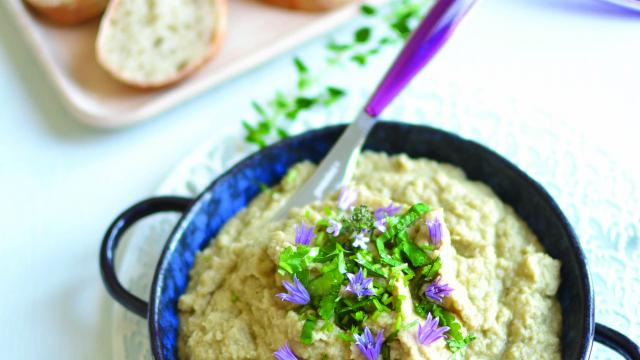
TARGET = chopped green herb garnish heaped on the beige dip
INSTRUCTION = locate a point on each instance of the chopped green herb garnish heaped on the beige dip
(327, 266)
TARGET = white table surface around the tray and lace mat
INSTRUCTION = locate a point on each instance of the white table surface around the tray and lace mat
(62, 183)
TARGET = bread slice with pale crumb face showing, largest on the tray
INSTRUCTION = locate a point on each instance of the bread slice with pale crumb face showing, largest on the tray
(155, 43)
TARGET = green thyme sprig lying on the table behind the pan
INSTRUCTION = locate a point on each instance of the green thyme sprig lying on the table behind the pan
(386, 26)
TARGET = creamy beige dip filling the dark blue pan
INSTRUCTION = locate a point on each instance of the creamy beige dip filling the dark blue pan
(504, 283)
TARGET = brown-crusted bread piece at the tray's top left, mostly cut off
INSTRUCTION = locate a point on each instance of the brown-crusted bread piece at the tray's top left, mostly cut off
(68, 12)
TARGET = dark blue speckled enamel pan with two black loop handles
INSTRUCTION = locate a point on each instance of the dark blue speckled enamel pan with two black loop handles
(204, 216)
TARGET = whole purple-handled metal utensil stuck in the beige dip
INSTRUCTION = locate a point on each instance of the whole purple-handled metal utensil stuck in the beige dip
(337, 168)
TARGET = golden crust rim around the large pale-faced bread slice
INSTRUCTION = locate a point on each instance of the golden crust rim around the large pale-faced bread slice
(217, 40)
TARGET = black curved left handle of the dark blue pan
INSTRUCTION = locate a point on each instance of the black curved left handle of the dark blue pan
(113, 236)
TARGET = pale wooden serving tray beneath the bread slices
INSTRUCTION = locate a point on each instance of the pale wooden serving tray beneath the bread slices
(256, 33)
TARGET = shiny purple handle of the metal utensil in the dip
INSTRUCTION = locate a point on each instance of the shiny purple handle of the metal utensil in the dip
(427, 39)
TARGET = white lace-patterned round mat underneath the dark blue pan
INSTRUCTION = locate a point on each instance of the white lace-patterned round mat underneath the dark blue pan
(601, 200)
